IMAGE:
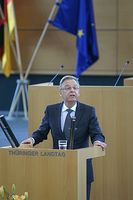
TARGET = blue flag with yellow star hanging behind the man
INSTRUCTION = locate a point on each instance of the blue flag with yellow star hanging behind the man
(77, 17)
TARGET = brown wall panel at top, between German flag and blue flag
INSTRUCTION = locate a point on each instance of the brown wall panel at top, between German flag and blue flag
(32, 14)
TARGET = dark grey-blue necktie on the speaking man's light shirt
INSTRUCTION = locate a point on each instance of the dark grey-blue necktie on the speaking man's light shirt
(67, 124)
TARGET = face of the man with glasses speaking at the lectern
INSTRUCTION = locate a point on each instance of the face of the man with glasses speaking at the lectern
(69, 91)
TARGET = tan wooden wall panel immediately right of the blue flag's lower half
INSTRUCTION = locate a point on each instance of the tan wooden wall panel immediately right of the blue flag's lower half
(107, 47)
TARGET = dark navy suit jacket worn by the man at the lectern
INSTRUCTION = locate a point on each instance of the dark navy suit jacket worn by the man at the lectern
(86, 126)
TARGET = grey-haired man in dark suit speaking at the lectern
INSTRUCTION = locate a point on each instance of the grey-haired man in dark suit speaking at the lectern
(86, 124)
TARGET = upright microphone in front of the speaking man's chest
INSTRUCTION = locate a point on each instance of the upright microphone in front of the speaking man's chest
(73, 120)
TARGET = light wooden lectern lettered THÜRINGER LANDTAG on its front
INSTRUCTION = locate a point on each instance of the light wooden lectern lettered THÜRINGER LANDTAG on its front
(47, 174)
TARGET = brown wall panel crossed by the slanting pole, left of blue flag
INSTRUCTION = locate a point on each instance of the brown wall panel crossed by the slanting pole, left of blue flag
(53, 52)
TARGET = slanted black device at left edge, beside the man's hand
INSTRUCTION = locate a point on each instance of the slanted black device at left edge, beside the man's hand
(8, 132)
